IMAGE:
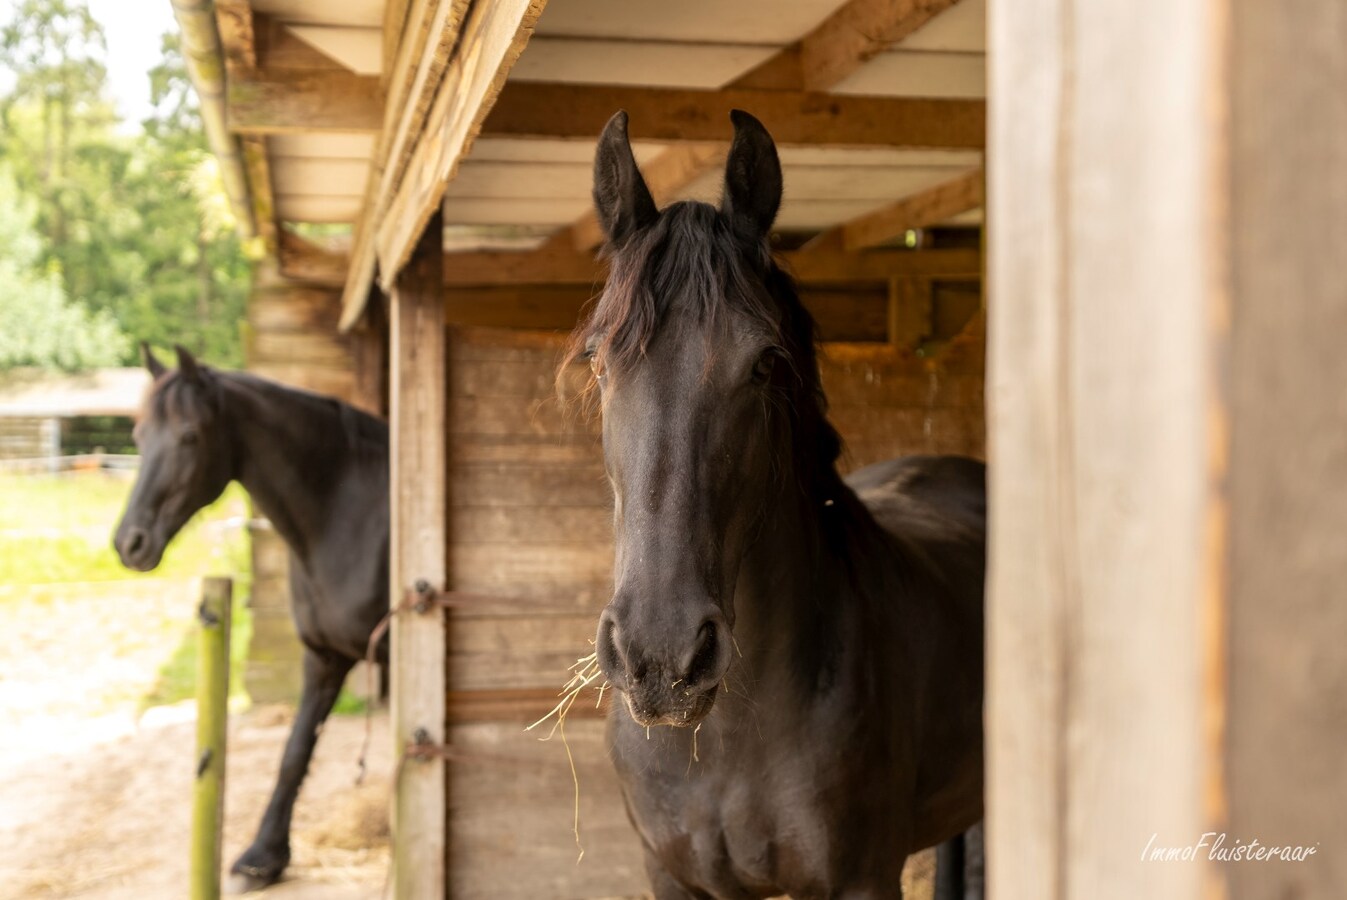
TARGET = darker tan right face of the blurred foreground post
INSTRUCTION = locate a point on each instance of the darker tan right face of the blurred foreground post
(1288, 464)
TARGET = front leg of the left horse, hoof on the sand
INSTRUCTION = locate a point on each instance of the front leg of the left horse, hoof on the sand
(263, 863)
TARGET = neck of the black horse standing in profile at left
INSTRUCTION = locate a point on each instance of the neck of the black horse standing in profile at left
(286, 457)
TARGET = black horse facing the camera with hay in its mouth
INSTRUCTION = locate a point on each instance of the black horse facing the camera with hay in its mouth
(817, 641)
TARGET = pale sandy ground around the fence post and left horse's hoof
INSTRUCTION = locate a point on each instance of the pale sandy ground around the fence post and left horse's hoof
(95, 796)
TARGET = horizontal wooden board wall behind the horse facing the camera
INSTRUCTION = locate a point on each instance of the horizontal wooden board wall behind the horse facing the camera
(530, 533)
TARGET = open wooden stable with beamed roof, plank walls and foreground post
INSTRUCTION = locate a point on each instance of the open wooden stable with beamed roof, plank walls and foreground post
(1152, 350)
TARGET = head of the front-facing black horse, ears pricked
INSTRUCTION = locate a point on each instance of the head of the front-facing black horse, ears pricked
(704, 360)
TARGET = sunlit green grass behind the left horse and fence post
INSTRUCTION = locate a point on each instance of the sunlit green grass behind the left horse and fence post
(59, 530)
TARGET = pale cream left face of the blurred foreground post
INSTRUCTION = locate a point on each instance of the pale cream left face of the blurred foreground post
(1105, 243)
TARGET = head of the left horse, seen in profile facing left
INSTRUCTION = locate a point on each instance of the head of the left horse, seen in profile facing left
(185, 459)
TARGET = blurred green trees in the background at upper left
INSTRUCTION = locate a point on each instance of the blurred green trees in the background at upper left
(135, 230)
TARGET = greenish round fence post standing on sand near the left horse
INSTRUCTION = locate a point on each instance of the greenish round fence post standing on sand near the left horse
(208, 797)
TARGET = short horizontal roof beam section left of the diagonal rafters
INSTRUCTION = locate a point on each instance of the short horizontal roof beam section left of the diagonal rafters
(294, 100)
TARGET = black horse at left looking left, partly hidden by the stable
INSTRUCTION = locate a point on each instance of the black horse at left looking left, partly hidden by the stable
(319, 470)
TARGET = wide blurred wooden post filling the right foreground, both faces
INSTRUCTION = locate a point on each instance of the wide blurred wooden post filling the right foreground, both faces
(1169, 468)
